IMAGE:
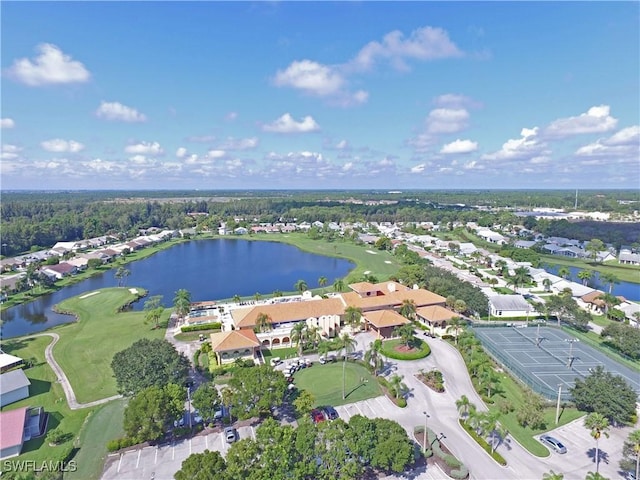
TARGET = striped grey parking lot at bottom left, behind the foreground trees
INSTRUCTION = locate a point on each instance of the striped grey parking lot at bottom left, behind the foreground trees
(163, 461)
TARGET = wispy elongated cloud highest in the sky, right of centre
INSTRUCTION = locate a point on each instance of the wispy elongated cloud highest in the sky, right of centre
(426, 43)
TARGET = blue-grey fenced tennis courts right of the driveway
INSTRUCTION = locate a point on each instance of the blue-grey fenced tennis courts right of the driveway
(545, 357)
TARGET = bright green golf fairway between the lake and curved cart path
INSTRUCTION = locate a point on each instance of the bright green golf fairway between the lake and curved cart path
(86, 347)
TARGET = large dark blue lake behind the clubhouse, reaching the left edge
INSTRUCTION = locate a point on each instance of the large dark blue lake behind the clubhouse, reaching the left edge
(209, 269)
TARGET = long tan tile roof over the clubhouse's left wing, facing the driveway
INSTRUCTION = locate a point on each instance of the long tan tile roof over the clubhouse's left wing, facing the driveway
(287, 312)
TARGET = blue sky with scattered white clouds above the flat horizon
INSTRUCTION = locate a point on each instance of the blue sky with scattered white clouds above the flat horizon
(181, 95)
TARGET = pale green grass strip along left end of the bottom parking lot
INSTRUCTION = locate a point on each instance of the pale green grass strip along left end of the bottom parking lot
(104, 424)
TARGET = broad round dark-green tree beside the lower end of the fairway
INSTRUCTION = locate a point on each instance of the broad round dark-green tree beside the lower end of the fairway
(147, 363)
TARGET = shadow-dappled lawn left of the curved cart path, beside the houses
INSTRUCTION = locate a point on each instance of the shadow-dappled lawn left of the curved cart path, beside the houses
(47, 393)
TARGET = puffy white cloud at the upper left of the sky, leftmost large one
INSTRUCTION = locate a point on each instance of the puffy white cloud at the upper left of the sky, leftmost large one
(51, 66)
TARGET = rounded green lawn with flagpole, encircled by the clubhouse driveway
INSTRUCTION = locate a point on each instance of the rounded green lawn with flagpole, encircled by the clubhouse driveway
(325, 383)
